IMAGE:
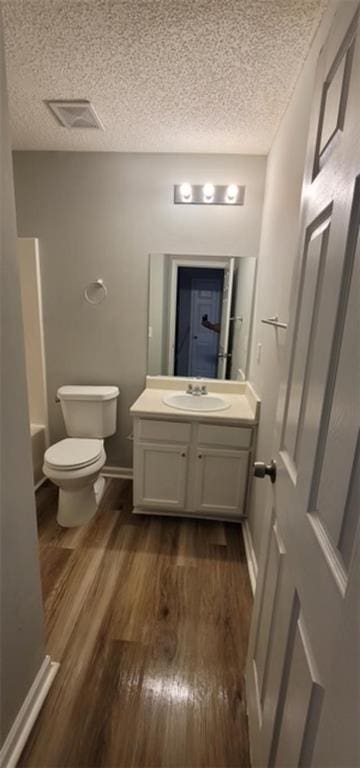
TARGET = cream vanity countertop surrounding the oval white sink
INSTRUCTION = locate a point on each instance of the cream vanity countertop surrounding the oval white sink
(244, 404)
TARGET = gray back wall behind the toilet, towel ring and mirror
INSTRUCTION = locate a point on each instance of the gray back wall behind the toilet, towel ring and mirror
(100, 215)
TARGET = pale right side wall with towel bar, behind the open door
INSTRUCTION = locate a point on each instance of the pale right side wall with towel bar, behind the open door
(278, 249)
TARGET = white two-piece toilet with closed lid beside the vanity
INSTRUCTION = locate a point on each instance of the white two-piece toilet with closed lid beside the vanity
(74, 464)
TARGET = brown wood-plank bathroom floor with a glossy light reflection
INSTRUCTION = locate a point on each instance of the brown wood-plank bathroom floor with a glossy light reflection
(149, 617)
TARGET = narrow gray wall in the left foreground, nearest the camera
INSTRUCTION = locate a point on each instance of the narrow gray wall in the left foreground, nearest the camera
(22, 643)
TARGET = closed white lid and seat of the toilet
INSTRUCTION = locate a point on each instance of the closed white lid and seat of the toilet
(73, 453)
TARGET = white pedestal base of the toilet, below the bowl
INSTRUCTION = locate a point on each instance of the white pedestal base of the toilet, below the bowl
(78, 506)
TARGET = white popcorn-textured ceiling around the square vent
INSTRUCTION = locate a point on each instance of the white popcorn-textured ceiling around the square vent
(163, 75)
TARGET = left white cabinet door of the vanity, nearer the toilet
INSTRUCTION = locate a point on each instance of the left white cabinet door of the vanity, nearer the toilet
(160, 475)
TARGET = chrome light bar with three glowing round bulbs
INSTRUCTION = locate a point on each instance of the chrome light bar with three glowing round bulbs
(208, 194)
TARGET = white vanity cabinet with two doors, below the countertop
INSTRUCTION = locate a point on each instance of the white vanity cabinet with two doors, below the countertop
(192, 468)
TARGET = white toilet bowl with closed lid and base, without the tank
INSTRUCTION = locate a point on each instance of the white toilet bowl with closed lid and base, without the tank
(74, 465)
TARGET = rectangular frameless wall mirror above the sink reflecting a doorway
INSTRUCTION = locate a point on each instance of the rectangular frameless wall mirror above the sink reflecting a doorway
(199, 318)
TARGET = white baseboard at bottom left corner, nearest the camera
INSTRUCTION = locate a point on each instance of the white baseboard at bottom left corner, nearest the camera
(28, 713)
